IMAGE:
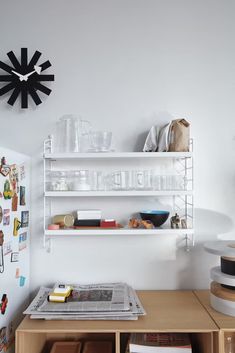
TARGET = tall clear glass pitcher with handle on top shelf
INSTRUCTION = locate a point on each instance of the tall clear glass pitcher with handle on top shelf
(70, 131)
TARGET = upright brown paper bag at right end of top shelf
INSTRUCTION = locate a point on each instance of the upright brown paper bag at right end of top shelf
(179, 136)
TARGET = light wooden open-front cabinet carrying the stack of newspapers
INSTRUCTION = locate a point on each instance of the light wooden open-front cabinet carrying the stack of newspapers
(167, 311)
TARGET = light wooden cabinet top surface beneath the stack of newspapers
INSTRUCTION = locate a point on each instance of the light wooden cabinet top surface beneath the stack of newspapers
(169, 311)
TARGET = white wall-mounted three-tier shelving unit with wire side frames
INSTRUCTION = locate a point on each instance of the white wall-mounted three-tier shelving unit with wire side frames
(179, 197)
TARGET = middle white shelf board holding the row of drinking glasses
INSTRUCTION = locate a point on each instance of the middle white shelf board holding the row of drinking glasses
(117, 193)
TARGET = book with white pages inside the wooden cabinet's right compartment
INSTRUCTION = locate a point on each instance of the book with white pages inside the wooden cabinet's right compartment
(159, 343)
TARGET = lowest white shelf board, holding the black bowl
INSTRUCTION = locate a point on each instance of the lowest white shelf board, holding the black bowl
(120, 231)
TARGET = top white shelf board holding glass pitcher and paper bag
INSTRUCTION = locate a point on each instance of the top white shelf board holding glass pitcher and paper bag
(116, 155)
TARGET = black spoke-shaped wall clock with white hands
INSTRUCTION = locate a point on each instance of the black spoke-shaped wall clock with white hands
(25, 77)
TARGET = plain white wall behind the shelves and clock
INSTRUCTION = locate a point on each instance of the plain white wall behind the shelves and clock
(125, 65)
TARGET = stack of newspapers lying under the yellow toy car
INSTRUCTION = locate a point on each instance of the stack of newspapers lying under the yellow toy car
(104, 301)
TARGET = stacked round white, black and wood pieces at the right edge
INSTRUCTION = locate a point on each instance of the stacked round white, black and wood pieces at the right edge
(222, 295)
